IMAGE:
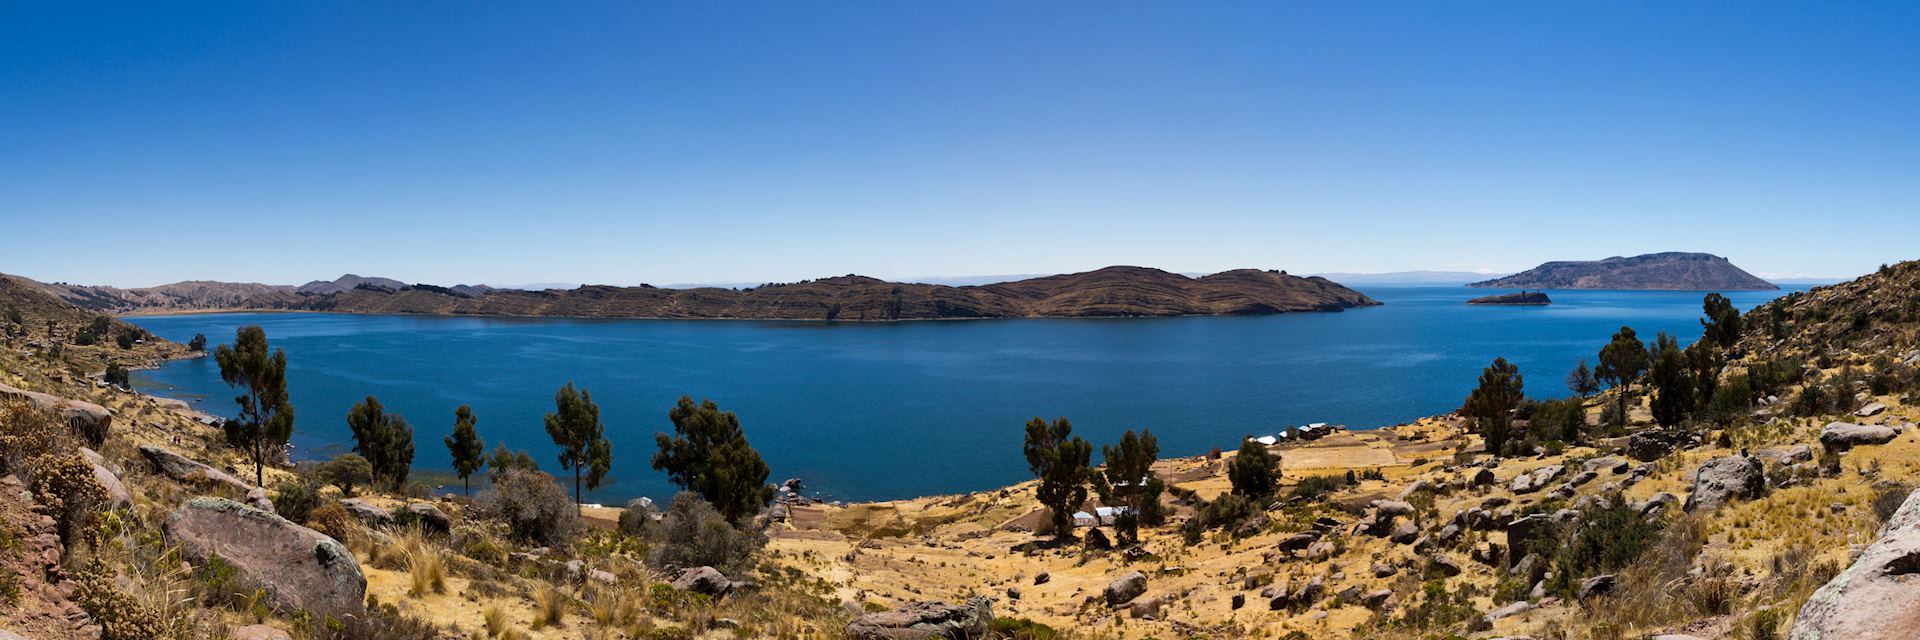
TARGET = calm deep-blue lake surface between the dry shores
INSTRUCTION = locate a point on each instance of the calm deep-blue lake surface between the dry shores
(896, 410)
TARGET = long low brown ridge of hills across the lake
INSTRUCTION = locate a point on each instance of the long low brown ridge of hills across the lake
(1105, 293)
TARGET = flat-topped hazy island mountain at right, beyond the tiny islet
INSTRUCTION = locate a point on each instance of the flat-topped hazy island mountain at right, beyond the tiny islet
(1652, 272)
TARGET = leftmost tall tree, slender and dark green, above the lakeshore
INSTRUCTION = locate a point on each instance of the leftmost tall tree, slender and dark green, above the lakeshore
(266, 412)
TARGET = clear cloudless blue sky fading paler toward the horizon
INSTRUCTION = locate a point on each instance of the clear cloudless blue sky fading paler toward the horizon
(713, 141)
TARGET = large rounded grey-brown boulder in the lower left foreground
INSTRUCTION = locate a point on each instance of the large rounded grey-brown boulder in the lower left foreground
(299, 568)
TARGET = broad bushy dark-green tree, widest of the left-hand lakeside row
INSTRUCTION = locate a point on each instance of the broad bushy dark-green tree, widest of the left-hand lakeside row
(709, 456)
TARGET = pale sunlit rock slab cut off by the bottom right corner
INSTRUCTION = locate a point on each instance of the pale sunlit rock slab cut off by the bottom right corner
(1875, 599)
